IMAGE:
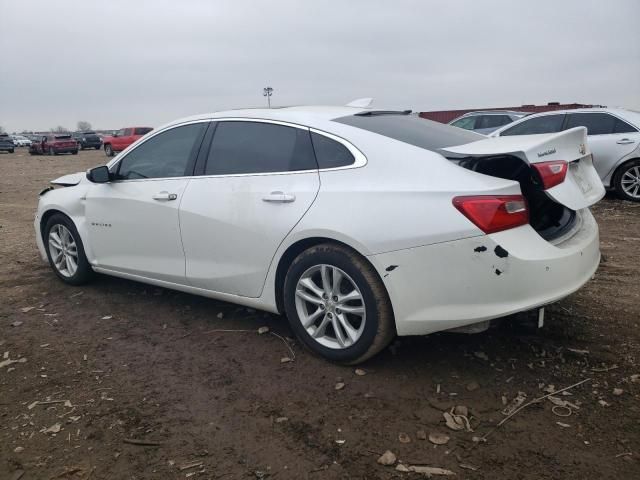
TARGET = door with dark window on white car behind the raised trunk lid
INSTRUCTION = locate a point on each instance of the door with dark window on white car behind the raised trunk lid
(610, 138)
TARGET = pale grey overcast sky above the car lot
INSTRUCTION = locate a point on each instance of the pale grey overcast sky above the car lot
(130, 62)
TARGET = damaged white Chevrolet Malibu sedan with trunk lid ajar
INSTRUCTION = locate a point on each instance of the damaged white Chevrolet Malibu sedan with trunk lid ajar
(357, 224)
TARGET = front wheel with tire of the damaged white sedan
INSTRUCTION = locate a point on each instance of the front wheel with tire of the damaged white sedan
(65, 250)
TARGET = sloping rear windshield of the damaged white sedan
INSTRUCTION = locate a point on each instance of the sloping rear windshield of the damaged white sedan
(413, 130)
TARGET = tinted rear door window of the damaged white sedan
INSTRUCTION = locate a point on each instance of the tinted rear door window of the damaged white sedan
(257, 147)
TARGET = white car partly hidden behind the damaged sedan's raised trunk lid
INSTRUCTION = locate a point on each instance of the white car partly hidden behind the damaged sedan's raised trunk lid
(614, 140)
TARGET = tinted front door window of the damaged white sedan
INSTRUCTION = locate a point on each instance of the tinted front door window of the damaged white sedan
(165, 155)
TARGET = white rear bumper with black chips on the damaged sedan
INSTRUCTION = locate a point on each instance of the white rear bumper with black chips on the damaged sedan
(454, 284)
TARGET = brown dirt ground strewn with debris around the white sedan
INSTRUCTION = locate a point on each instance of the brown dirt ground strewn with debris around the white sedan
(141, 363)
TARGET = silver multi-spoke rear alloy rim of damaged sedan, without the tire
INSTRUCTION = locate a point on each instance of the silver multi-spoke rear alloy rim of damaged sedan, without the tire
(330, 306)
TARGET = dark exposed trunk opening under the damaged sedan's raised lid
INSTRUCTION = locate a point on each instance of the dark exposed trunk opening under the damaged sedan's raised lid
(550, 219)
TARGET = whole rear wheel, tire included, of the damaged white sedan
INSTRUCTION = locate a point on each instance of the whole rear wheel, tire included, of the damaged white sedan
(337, 304)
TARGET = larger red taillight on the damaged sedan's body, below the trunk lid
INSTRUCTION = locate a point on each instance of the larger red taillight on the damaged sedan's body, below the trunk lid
(494, 213)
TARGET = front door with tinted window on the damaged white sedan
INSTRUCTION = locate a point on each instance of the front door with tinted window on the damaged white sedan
(133, 222)
